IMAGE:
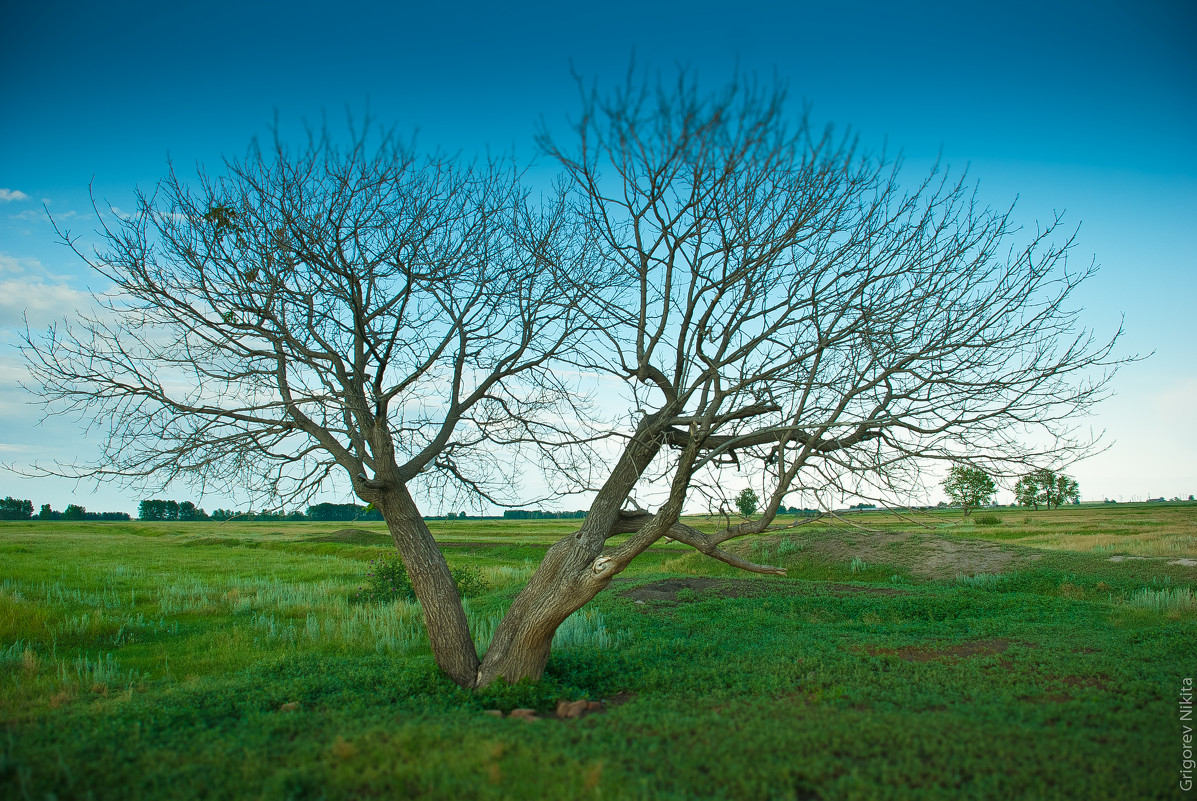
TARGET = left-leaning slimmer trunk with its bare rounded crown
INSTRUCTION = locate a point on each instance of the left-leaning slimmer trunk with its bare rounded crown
(356, 311)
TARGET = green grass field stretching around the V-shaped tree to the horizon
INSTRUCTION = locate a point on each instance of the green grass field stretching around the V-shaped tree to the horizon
(1013, 656)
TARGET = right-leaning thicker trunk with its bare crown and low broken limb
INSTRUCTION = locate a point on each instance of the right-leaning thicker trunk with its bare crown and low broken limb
(776, 298)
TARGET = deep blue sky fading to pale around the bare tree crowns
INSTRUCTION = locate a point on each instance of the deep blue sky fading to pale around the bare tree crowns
(1087, 108)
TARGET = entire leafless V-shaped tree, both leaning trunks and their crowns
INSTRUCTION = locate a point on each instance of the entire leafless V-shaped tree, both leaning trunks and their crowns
(770, 295)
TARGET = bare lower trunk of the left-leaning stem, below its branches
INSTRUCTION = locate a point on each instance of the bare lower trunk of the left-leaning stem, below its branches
(443, 614)
